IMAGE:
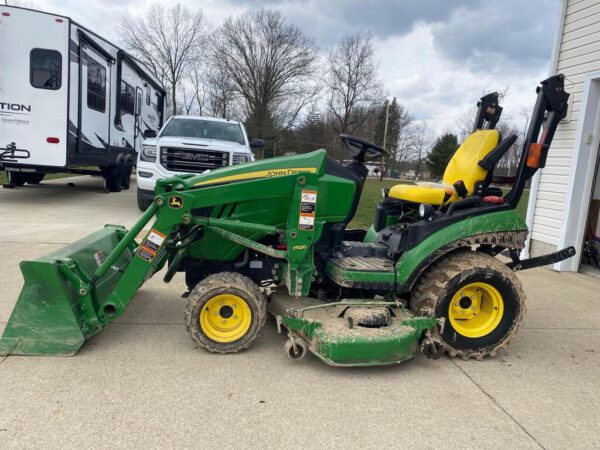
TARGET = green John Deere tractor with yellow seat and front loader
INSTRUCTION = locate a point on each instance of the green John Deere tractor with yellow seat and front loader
(271, 237)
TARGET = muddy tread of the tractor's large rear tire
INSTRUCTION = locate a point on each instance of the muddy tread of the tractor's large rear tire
(431, 283)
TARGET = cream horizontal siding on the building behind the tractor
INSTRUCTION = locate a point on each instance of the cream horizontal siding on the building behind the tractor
(579, 55)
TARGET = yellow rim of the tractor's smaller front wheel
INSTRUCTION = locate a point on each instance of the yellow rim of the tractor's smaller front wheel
(225, 318)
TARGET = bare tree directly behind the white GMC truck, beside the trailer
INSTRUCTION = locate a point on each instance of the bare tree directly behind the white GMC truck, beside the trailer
(166, 40)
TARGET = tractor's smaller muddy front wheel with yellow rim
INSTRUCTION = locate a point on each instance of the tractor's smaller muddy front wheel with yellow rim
(225, 313)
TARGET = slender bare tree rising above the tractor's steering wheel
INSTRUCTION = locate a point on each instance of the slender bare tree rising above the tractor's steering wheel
(351, 78)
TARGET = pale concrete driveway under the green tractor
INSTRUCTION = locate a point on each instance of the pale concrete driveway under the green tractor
(141, 382)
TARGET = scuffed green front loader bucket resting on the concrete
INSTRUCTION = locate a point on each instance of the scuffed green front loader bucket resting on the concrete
(53, 316)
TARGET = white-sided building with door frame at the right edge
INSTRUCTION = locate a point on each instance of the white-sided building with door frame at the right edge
(564, 202)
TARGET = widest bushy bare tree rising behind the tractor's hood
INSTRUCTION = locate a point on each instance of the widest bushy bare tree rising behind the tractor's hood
(270, 63)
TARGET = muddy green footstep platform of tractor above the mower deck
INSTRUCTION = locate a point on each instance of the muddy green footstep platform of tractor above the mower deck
(362, 272)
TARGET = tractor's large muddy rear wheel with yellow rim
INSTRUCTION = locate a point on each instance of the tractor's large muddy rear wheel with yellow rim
(481, 300)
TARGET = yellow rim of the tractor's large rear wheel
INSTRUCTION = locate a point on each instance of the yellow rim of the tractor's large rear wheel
(476, 310)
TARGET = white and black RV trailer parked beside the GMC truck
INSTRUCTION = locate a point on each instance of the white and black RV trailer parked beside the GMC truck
(70, 100)
